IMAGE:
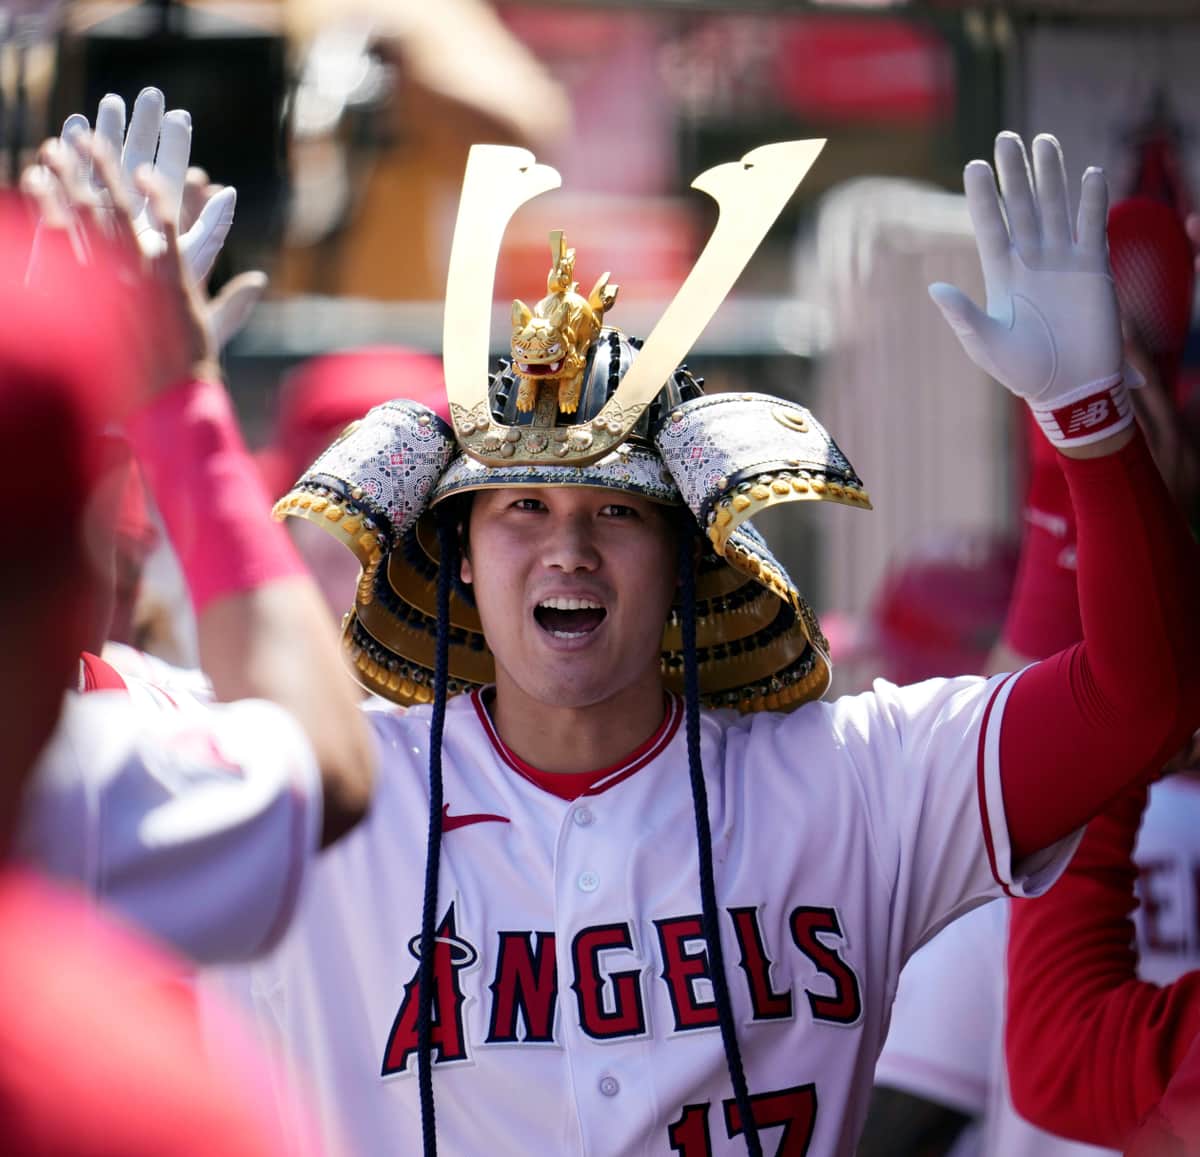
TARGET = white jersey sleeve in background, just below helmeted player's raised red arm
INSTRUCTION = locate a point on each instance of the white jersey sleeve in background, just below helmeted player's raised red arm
(949, 1015)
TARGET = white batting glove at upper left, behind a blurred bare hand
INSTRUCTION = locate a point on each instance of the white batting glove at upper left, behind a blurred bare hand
(165, 142)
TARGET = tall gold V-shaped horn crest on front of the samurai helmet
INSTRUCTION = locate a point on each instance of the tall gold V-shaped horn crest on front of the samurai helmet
(751, 194)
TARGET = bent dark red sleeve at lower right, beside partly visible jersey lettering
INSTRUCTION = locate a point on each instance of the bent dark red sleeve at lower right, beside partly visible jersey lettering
(1090, 1047)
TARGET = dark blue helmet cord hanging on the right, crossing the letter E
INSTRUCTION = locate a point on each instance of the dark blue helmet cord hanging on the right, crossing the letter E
(710, 912)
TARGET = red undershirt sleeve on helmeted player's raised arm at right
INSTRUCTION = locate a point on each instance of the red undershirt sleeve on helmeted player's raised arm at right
(1108, 712)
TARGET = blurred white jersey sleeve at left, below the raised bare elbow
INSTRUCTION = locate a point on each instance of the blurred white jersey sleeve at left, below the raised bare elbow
(196, 826)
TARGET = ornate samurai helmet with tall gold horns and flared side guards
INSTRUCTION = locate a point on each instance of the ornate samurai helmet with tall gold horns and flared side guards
(581, 404)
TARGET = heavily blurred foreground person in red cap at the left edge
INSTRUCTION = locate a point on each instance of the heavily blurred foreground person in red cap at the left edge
(100, 1051)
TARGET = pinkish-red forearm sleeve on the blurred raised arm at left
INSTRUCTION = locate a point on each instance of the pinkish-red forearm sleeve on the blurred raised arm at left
(211, 494)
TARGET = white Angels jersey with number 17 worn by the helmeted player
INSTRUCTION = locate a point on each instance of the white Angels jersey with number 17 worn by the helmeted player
(573, 1004)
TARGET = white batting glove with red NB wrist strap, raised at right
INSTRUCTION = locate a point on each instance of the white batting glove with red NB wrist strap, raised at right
(1052, 332)
